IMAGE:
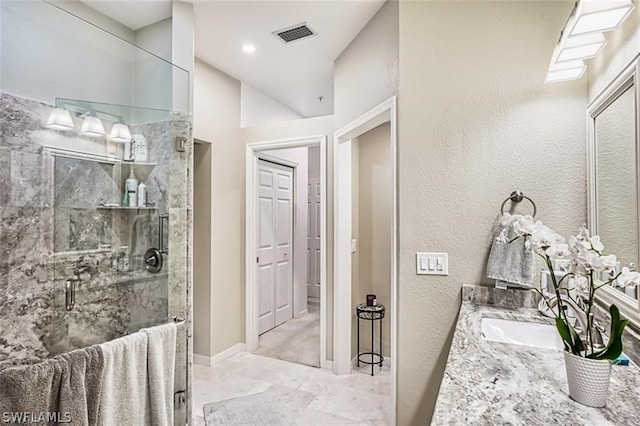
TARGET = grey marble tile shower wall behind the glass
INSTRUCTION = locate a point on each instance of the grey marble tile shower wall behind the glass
(52, 230)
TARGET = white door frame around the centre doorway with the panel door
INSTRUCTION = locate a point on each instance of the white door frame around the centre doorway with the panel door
(255, 151)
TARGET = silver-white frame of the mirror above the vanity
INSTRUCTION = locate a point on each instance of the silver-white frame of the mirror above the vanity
(629, 77)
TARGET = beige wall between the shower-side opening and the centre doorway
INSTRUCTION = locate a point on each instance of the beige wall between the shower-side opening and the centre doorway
(217, 121)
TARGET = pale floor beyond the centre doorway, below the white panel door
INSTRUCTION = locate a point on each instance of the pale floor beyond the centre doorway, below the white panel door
(297, 340)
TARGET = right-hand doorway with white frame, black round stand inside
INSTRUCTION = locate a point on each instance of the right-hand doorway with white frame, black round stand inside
(379, 180)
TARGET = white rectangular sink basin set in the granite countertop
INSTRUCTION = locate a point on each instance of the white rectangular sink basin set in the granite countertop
(521, 333)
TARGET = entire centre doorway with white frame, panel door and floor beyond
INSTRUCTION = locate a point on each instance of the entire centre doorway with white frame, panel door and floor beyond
(286, 249)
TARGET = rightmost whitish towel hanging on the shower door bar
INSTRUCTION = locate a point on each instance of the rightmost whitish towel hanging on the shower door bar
(160, 368)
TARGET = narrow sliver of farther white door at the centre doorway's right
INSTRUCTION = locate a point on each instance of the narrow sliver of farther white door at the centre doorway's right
(313, 237)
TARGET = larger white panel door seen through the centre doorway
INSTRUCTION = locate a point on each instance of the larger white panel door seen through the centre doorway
(275, 245)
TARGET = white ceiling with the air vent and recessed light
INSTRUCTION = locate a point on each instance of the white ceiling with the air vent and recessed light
(296, 74)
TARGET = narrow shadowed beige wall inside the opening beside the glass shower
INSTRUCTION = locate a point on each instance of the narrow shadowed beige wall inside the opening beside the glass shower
(202, 249)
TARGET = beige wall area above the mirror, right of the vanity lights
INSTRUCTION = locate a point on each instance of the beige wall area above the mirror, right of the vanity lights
(622, 47)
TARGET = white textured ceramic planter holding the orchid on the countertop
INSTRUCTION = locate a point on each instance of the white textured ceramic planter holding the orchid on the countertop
(588, 379)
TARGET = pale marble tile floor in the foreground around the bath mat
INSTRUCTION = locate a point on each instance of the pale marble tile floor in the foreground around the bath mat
(355, 399)
